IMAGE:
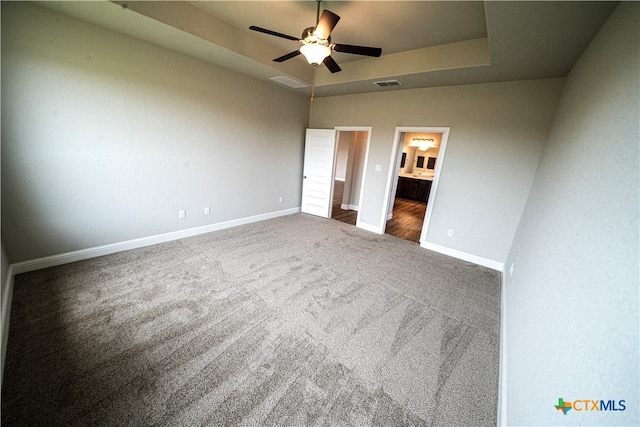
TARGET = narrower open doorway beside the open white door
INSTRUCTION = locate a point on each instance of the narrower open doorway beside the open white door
(352, 144)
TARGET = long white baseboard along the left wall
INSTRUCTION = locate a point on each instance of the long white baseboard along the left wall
(82, 254)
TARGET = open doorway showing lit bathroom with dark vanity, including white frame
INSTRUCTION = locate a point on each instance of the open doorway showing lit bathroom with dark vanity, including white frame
(418, 154)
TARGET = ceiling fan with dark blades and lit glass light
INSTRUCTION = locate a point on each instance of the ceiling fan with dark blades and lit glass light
(316, 42)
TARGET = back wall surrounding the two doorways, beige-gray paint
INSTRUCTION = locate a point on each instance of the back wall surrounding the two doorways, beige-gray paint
(498, 131)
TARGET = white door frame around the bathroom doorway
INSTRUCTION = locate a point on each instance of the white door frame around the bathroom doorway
(394, 170)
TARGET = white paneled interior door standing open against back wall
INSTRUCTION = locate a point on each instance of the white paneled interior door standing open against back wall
(317, 181)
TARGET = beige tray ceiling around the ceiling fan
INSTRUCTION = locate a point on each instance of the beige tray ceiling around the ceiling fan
(424, 43)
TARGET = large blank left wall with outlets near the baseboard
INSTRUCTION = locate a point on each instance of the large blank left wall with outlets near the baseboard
(105, 138)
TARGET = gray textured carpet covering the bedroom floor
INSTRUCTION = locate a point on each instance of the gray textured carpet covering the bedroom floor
(292, 321)
